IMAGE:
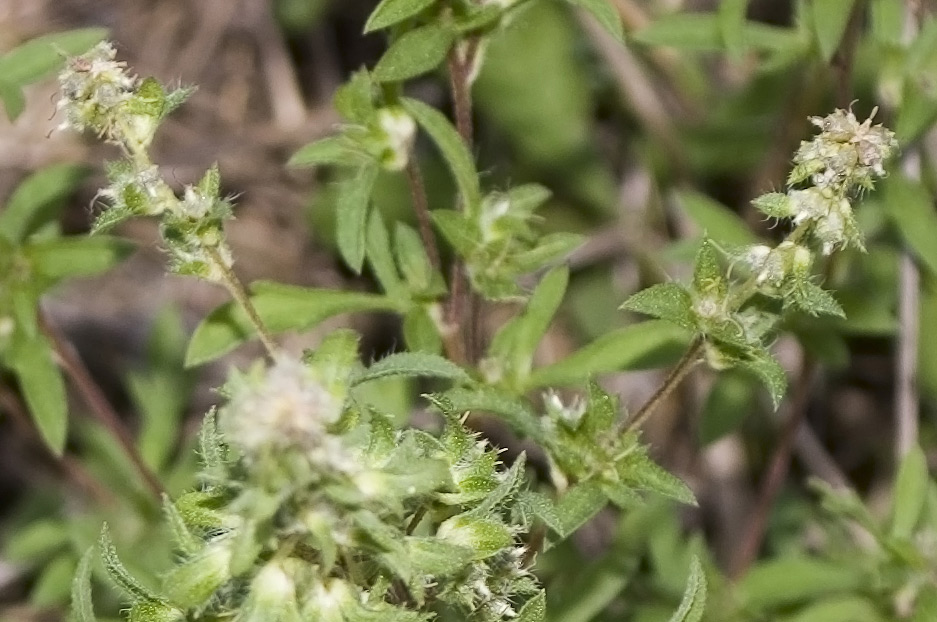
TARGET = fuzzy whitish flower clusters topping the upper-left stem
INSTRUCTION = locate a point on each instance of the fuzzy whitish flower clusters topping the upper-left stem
(99, 94)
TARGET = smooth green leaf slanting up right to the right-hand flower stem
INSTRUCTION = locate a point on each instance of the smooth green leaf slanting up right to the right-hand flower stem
(640, 346)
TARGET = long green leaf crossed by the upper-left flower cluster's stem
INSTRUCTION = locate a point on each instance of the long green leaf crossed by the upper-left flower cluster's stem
(281, 308)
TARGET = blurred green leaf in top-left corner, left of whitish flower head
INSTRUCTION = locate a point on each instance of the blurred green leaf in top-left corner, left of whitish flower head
(42, 56)
